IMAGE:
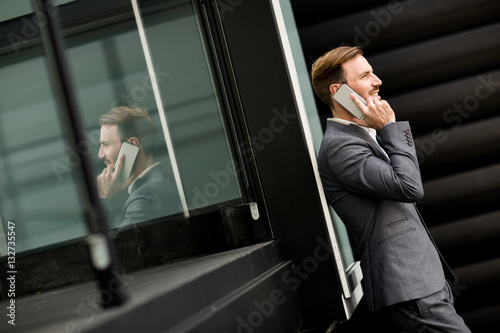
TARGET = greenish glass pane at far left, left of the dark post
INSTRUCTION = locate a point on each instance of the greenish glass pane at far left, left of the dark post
(33, 155)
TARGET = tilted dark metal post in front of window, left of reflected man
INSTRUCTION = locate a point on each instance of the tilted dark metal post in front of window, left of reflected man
(101, 247)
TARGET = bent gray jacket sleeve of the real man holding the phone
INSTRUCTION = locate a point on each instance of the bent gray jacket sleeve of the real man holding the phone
(359, 170)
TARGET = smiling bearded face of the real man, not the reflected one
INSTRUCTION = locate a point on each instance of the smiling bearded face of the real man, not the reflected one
(360, 77)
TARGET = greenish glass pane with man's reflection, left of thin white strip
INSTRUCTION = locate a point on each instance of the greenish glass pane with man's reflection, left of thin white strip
(110, 74)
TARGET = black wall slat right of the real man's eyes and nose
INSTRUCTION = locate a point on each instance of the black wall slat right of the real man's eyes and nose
(438, 60)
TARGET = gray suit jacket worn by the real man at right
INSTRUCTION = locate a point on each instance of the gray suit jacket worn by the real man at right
(374, 194)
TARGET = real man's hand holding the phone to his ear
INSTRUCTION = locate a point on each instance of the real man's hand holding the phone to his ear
(377, 113)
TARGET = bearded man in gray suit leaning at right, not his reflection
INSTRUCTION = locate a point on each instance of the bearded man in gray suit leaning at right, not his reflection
(370, 173)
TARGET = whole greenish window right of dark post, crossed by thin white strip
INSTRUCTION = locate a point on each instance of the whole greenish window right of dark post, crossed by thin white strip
(110, 69)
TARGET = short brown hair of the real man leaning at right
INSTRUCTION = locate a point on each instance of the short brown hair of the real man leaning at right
(327, 70)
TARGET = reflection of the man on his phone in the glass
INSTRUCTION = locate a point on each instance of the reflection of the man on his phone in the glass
(148, 193)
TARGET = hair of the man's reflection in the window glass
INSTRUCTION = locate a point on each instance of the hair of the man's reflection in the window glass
(132, 122)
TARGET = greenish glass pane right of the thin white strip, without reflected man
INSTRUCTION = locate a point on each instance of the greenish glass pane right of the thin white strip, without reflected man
(191, 105)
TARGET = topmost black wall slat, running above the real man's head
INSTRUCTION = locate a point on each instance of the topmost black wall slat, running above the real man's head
(397, 23)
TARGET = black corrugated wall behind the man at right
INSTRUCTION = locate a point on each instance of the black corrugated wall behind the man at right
(440, 66)
